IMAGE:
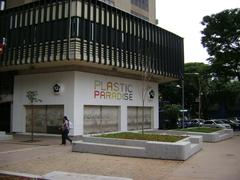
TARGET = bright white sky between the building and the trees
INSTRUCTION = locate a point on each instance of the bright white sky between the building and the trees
(183, 17)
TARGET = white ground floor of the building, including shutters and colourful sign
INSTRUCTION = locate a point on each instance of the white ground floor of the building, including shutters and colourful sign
(94, 103)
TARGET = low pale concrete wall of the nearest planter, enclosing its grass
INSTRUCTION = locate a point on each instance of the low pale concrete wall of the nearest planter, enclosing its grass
(180, 150)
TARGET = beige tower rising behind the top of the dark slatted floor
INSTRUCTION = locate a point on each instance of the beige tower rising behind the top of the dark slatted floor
(145, 9)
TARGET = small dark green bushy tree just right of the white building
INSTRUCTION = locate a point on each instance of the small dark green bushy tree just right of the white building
(172, 113)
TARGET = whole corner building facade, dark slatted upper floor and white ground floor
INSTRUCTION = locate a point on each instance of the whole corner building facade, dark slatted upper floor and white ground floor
(95, 63)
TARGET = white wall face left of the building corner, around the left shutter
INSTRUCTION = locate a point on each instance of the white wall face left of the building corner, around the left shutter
(43, 83)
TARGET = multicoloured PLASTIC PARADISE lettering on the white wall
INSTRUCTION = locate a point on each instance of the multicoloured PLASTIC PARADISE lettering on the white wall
(112, 90)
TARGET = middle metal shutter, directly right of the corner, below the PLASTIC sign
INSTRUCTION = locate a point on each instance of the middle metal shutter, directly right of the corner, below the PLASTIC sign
(99, 119)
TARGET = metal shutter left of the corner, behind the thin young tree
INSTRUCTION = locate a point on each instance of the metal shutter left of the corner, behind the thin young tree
(47, 119)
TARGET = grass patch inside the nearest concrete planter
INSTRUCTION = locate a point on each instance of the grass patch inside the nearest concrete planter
(139, 136)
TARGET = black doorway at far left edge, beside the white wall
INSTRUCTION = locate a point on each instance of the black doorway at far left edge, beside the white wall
(5, 116)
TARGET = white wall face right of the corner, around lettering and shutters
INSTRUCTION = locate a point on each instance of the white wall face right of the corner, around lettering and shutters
(85, 94)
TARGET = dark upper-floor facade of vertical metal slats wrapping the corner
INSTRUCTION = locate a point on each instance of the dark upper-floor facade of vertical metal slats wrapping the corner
(87, 30)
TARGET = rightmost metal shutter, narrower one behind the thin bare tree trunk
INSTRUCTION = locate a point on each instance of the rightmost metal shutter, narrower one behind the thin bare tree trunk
(135, 118)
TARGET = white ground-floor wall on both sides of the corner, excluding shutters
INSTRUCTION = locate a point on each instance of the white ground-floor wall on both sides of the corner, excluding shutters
(78, 91)
